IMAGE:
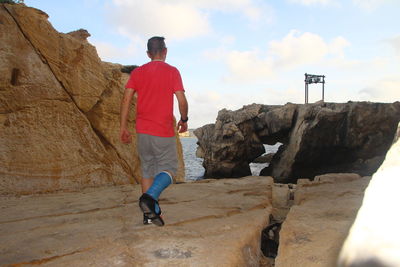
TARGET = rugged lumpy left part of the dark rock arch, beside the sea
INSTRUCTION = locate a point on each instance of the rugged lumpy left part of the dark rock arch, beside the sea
(229, 145)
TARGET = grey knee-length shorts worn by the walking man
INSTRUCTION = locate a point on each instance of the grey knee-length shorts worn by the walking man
(157, 154)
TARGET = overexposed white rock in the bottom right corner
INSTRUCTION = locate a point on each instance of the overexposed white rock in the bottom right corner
(374, 237)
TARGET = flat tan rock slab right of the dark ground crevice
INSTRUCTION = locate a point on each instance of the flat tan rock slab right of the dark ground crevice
(315, 228)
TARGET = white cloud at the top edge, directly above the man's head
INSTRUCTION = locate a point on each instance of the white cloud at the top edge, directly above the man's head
(176, 19)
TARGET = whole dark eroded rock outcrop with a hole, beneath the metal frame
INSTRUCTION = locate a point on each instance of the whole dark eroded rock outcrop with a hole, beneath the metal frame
(317, 138)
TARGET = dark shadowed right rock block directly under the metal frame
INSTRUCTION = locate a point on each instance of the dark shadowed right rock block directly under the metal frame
(333, 138)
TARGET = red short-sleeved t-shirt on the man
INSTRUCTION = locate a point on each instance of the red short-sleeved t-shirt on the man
(155, 84)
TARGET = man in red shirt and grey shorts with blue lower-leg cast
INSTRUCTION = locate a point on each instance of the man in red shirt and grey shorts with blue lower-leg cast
(155, 83)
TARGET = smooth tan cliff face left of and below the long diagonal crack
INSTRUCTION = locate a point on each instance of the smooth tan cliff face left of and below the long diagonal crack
(47, 144)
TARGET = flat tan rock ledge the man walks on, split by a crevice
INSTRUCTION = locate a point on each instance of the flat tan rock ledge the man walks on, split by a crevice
(208, 223)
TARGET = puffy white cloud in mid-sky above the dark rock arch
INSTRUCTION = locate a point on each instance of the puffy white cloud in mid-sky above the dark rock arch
(294, 50)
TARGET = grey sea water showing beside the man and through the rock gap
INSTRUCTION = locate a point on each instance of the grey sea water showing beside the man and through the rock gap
(194, 166)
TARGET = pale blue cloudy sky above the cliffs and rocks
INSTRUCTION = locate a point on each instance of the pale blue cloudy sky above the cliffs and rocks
(232, 53)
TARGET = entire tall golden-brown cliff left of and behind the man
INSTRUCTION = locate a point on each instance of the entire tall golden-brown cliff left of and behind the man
(59, 110)
